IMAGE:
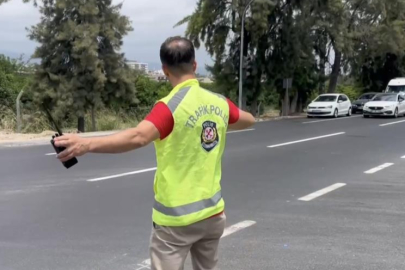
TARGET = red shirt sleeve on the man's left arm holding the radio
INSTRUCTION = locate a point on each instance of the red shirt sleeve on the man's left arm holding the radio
(161, 117)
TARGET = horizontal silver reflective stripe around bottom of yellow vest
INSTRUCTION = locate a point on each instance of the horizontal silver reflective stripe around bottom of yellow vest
(189, 208)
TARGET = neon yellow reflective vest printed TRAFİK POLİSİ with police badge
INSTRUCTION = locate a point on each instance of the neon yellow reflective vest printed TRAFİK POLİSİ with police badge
(187, 181)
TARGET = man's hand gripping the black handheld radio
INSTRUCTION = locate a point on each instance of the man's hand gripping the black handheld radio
(75, 146)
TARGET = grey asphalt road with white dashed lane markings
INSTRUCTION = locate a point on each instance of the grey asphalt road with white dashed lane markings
(52, 218)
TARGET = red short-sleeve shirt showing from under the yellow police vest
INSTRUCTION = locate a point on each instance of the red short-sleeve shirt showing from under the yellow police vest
(162, 117)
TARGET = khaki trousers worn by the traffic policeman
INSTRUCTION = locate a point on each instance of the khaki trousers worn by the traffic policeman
(170, 246)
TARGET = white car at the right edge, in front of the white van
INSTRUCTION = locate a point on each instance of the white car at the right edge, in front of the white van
(387, 104)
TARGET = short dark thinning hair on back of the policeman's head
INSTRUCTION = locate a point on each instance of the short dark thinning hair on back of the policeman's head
(178, 55)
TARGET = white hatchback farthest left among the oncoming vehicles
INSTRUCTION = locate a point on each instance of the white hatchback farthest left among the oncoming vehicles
(330, 105)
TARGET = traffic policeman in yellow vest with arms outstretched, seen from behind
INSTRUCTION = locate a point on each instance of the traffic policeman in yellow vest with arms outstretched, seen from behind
(189, 129)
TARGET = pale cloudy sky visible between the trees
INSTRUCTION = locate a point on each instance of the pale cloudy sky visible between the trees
(152, 21)
